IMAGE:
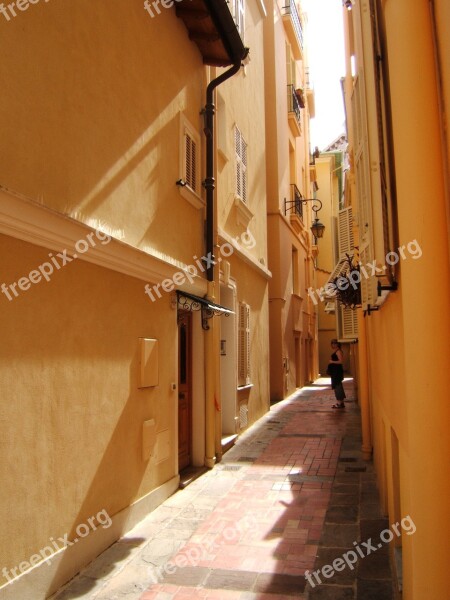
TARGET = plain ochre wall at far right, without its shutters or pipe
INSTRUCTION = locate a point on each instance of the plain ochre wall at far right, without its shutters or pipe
(408, 337)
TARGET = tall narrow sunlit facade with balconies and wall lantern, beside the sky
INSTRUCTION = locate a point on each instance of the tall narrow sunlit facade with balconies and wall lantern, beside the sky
(289, 106)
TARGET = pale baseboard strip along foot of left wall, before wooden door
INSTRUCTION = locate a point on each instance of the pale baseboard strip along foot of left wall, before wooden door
(45, 579)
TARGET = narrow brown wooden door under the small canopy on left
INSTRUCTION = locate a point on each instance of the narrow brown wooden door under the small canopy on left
(184, 390)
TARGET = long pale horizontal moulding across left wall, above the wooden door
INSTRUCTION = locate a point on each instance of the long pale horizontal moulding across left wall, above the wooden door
(31, 222)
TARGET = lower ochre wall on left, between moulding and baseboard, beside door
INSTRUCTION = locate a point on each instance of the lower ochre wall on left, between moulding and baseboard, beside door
(71, 410)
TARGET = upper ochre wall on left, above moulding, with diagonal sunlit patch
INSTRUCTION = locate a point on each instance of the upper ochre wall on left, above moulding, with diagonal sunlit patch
(90, 117)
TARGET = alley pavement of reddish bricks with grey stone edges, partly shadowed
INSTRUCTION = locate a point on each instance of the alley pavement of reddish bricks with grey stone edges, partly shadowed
(291, 497)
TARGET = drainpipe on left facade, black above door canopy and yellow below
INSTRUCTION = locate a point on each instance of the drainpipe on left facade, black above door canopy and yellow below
(211, 360)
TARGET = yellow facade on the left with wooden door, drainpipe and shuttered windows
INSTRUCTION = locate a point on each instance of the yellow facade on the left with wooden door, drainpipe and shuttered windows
(126, 354)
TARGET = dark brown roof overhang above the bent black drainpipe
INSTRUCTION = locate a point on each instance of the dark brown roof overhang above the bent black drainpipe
(211, 26)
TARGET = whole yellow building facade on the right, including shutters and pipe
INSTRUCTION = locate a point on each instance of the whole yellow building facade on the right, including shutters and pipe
(397, 94)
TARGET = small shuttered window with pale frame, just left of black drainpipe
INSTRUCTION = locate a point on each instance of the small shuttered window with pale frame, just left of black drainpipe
(190, 163)
